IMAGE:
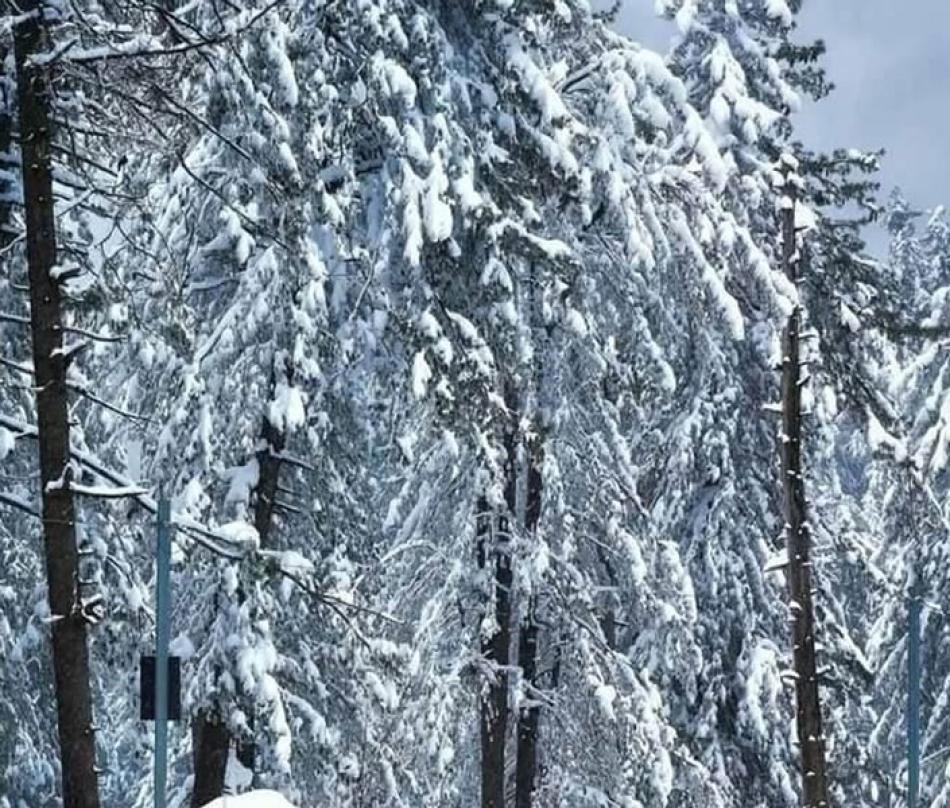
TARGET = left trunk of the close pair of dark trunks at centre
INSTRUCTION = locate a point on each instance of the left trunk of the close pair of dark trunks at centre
(494, 553)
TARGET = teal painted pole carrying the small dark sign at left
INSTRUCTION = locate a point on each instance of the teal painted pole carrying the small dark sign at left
(162, 635)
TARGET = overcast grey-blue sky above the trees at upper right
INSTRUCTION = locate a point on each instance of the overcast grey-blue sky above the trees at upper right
(890, 62)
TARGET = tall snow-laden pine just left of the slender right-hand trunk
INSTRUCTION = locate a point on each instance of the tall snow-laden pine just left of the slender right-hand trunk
(728, 518)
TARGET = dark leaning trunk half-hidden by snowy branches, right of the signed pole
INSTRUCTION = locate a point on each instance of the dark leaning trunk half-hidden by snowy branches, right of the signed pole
(210, 736)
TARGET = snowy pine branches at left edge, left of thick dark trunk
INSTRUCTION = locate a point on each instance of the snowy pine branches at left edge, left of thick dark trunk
(27, 727)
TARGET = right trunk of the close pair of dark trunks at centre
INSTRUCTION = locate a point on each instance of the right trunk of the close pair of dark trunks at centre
(529, 719)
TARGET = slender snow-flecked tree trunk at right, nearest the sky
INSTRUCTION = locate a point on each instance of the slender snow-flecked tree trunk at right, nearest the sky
(798, 538)
